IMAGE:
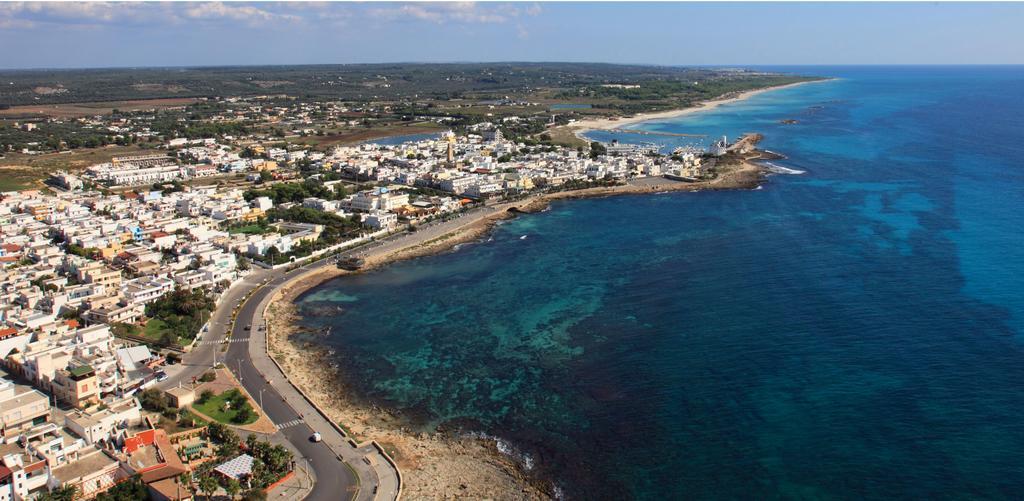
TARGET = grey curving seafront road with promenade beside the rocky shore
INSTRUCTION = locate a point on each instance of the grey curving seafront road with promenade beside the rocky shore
(339, 470)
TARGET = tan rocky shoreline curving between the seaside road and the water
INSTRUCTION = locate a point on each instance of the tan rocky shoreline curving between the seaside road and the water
(440, 465)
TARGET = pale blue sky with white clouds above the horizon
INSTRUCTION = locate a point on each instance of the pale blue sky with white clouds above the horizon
(159, 34)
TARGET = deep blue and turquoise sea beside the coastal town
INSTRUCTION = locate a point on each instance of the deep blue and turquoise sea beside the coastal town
(852, 332)
